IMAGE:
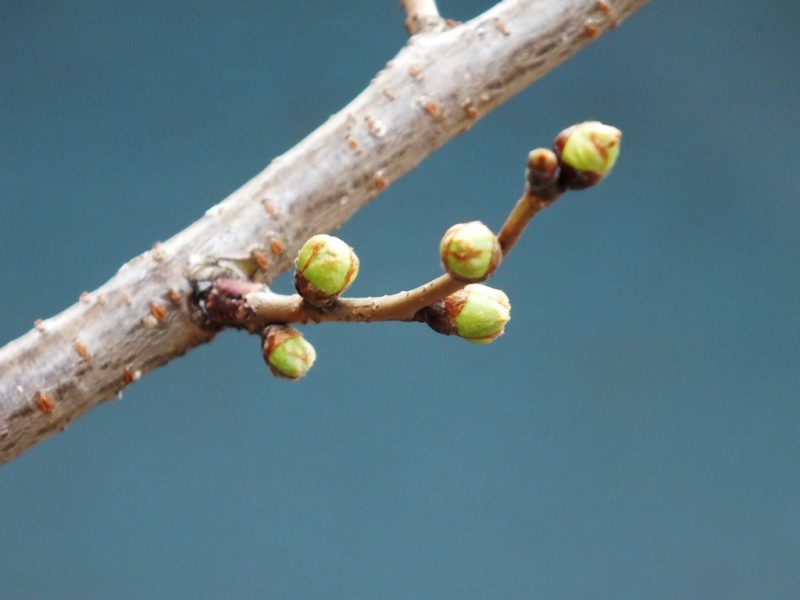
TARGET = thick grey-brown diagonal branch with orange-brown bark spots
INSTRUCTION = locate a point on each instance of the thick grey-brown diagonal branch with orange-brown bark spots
(436, 87)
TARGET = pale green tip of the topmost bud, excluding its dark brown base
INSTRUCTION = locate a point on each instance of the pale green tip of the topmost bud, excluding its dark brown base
(591, 146)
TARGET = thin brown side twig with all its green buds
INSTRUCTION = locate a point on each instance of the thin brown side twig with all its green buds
(454, 303)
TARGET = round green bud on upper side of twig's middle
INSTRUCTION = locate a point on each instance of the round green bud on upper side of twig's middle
(470, 251)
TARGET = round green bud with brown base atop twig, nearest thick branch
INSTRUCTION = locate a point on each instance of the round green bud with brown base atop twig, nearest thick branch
(325, 267)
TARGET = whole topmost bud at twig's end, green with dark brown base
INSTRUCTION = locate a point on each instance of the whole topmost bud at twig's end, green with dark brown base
(588, 152)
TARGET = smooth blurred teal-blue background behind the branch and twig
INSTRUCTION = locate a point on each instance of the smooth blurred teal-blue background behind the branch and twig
(634, 435)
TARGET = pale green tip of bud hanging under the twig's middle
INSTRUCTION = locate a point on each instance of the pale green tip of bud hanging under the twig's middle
(480, 313)
